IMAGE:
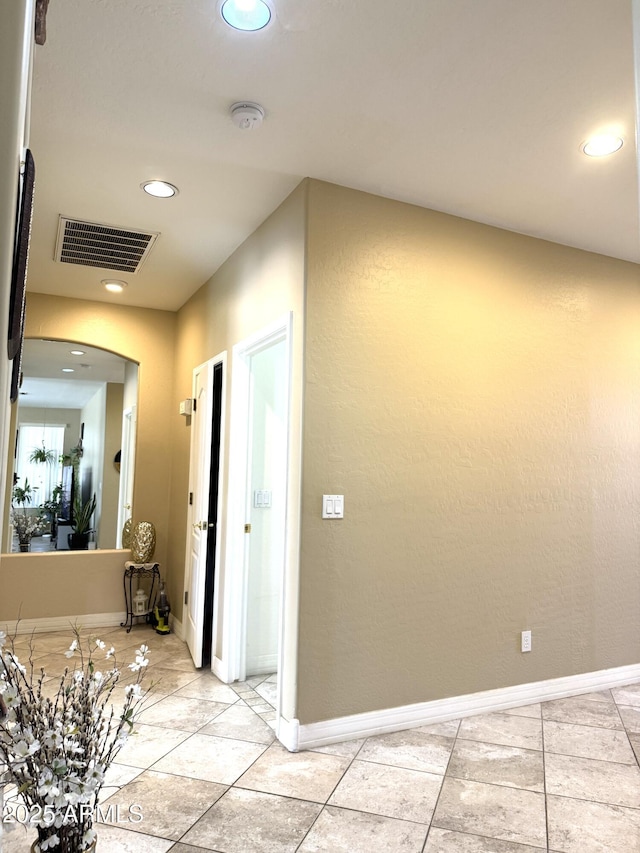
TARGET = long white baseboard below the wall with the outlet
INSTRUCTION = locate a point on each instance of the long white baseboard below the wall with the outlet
(296, 736)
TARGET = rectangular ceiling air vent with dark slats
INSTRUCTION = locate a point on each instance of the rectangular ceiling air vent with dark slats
(93, 245)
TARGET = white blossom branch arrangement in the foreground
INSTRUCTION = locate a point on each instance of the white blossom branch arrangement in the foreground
(57, 748)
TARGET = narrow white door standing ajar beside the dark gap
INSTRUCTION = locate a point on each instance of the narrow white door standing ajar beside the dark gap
(198, 525)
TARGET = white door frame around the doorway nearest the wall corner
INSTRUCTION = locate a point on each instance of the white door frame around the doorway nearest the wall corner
(235, 586)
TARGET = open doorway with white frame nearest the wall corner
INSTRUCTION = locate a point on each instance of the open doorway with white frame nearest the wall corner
(257, 530)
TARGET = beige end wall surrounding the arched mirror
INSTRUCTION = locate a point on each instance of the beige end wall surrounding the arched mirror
(147, 337)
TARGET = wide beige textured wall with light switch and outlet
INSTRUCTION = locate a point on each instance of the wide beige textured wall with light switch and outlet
(475, 395)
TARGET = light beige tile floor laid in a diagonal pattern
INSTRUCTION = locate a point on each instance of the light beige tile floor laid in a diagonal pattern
(208, 775)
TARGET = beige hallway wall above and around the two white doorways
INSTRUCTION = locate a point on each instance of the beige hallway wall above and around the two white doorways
(256, 286)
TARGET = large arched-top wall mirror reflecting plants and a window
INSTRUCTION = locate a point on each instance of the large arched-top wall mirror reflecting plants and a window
(74, 439)
